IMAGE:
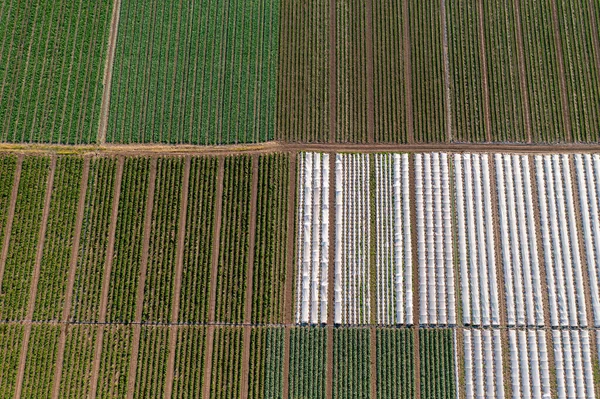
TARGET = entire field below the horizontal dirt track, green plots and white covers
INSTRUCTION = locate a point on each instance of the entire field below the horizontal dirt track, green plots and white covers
(171, 274)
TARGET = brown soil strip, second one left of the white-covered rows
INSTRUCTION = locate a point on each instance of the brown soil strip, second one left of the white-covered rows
(249, 280)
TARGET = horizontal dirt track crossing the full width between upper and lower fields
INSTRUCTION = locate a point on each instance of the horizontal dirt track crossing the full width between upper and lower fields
(273, 146)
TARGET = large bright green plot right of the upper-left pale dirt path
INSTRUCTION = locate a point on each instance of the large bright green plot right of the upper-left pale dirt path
(195, 73)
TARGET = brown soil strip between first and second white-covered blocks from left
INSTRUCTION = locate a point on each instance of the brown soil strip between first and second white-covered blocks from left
(330, 279)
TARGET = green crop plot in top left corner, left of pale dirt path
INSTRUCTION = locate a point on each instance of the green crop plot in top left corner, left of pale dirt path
(52, 62)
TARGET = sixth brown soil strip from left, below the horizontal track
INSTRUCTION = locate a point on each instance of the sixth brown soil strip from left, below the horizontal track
(178, 277)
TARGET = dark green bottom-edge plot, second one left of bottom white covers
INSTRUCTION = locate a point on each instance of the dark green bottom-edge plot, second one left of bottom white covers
(395, 363)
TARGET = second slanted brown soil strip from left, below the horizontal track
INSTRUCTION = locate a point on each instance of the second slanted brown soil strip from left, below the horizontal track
(35, 278)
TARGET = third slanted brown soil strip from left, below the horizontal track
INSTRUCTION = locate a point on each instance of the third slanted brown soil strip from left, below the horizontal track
(71, 278)
